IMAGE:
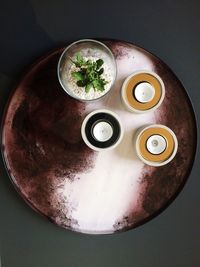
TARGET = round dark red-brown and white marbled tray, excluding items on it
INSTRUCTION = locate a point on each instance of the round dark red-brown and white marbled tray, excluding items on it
(75, 187)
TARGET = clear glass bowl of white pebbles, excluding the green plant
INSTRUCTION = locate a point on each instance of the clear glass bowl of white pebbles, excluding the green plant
(89, 49)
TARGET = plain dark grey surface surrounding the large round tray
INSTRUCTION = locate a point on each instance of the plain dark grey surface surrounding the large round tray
(171, 30)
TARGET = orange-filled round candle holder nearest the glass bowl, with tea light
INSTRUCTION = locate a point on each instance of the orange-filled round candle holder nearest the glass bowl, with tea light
(143, 91)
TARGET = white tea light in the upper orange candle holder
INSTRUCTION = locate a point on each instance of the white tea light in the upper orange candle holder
(144, 92)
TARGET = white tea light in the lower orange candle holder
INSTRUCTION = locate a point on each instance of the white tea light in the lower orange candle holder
(156, 144)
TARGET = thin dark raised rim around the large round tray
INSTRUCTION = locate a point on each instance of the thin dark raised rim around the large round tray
(56, 50)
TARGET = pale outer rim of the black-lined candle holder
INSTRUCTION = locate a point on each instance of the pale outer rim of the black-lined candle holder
(116, 116)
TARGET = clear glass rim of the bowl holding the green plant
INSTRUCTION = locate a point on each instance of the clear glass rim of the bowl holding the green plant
(62, 55)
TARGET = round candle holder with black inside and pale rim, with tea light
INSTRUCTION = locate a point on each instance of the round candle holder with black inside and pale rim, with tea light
(102, 130)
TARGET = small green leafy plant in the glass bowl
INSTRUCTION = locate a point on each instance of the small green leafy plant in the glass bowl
(89, 73)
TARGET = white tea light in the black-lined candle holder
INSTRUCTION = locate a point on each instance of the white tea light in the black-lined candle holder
(102, 131)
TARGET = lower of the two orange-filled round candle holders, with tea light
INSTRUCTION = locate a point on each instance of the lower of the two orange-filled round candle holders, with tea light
(156, 144)
